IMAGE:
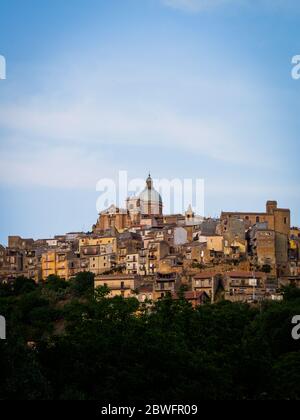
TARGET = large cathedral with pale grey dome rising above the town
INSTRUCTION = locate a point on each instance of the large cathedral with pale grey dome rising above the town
(146, 209)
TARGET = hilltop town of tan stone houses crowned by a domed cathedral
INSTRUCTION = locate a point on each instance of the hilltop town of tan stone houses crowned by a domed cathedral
(138, 251)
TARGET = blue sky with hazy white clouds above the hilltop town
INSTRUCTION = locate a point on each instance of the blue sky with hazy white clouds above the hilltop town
(181, 88)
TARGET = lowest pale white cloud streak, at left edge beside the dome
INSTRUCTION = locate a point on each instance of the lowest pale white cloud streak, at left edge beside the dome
(57, 167)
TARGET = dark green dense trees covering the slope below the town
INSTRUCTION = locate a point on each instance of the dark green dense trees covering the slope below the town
(66, 342)
